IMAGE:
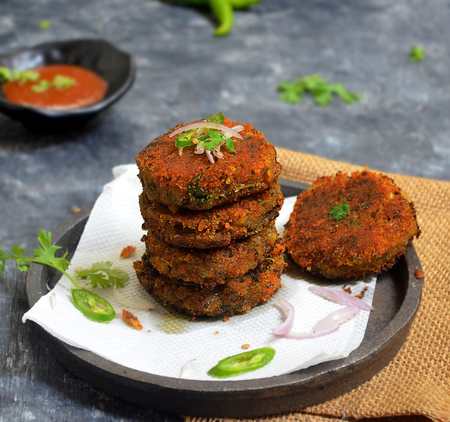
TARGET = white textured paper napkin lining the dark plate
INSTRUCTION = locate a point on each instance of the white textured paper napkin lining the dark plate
(171, 345)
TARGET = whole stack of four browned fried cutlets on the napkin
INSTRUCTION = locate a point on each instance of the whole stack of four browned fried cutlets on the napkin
(211, 244)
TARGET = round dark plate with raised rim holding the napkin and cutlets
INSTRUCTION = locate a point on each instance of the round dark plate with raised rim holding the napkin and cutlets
(396, 300)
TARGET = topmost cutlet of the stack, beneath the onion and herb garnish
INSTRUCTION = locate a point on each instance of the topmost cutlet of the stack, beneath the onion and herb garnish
(190, 181)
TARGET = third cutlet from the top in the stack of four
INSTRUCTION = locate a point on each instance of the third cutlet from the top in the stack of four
(210, 266)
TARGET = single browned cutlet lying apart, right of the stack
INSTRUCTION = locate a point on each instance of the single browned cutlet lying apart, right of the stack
(348, 226)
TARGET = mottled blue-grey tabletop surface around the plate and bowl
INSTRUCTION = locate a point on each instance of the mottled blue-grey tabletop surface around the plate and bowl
(402, 125)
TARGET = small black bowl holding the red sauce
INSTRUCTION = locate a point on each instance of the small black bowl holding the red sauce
(116, 67)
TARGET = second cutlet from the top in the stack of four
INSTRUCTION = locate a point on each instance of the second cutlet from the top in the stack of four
(212, 228)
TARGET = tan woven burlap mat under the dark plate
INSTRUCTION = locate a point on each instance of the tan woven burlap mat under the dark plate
(417, 381)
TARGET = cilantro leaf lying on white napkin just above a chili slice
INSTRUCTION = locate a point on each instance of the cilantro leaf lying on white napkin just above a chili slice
(102, 274)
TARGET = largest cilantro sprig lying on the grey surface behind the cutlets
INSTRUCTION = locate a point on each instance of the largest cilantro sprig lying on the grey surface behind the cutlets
(319, 88)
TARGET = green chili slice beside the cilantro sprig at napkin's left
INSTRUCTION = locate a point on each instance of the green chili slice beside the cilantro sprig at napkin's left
(93, 306)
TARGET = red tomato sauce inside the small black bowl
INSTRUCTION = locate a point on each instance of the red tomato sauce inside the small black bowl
(84, 88)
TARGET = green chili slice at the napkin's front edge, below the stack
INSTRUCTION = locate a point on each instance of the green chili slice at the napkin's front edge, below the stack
(242, 362)
